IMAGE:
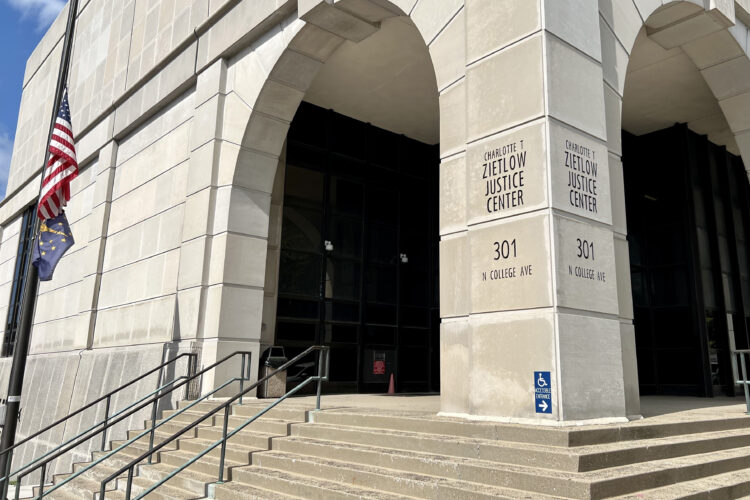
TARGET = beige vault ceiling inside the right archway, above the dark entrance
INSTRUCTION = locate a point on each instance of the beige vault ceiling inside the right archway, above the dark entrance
(664, 87)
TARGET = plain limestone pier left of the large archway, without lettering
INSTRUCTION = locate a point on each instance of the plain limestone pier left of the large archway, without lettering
(213, 311)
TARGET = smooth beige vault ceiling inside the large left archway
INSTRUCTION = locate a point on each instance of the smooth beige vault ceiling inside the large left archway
(386, 79)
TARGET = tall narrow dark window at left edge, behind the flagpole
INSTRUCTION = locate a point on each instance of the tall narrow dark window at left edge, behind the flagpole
(19, 281)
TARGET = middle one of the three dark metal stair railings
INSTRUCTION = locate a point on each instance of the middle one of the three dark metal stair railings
(154, 401)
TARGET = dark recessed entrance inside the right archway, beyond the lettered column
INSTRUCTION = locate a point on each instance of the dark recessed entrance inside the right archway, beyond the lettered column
(688, 213)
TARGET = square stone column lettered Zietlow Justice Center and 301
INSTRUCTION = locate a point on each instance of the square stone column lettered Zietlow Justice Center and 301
(529, 302)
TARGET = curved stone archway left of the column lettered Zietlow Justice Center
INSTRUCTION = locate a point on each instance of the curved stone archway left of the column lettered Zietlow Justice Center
(264, 87)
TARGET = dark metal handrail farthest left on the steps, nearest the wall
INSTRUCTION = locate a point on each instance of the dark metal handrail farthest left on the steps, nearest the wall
(192, 362)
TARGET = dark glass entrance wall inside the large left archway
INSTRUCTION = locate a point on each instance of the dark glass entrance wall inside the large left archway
(358, 268)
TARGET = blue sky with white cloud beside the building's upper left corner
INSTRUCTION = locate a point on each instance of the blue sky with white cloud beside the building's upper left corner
(22, 25)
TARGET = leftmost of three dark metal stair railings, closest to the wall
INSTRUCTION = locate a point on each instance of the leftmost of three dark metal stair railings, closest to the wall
(191, 367)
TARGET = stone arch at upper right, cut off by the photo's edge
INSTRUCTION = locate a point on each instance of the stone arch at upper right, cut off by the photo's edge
(713, 38)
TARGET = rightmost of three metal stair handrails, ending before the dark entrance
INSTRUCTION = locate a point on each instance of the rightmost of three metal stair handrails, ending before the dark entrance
(324, 352)
